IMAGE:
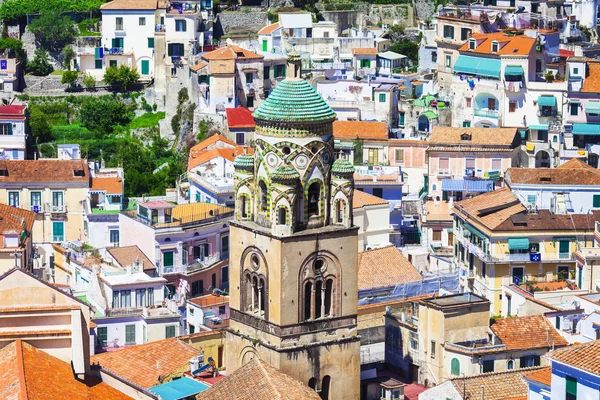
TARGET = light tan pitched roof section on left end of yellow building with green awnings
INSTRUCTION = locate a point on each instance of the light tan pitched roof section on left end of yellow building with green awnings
(489, 209)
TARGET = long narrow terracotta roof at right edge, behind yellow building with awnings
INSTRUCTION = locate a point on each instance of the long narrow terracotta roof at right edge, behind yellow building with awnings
(553, 176)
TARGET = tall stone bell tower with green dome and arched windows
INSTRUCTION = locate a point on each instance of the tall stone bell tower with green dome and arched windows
(294, 249)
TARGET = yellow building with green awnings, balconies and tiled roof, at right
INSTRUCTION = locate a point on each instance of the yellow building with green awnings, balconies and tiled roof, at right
(497, 242)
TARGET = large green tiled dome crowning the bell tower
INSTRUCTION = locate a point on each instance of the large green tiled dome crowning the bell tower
(294, 100)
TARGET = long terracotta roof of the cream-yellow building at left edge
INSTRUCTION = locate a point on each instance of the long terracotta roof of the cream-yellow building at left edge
(38, 171)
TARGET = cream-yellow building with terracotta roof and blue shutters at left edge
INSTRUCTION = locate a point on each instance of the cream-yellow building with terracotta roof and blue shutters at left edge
(54, 189)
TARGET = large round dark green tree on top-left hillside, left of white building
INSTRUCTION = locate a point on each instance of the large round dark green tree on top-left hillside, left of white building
(53, 31)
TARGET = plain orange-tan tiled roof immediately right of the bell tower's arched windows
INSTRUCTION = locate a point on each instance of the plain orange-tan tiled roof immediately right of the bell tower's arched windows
(384, 267)
